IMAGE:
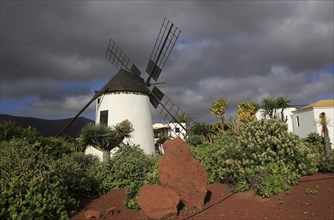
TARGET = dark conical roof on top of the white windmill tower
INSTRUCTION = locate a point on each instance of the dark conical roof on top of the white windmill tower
(125, 81)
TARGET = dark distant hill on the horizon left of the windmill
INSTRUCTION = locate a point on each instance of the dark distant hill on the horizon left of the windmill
(48, 127)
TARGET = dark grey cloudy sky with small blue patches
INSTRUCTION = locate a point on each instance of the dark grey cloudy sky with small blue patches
(52, 52)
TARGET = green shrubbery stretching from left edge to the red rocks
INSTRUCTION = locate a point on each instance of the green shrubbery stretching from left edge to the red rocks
(46, 177)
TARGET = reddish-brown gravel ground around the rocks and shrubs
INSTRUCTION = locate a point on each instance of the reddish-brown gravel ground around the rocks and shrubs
(312, 198)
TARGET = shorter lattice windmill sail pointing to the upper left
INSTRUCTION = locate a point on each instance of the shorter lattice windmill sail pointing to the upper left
(118, 58)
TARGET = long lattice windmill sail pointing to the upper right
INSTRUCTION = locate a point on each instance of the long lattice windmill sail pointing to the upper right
(163, 46)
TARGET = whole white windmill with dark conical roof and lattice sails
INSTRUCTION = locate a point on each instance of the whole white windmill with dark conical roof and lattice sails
(128, 96)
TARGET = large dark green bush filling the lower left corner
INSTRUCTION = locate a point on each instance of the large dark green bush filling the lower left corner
(37, 185)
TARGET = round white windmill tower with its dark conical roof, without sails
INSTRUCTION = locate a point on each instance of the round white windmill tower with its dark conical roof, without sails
(127, 97)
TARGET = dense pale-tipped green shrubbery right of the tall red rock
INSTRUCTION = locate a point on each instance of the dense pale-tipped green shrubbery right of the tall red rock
(259, 155)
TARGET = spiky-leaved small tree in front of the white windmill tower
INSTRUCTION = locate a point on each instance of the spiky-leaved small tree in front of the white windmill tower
(105, 138)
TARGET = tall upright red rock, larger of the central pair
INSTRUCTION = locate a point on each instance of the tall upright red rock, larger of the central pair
(181, 172)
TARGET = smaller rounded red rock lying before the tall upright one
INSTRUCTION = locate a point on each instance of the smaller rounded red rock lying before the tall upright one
(158, 202)
